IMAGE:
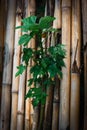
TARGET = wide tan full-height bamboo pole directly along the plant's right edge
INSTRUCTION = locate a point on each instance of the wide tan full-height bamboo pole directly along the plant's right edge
(65, 82)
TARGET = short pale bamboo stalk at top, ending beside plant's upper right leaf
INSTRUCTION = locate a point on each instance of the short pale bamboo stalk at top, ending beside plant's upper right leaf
(58, 14)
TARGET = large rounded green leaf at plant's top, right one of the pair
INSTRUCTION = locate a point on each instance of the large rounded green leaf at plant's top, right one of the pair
(45, 22)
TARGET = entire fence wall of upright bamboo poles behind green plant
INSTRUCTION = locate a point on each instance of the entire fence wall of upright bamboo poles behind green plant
(62, 110)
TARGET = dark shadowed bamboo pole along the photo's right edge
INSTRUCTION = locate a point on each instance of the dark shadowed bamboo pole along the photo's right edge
(84, 24)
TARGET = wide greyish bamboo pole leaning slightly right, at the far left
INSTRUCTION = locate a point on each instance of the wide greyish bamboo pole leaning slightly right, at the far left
(7, 70)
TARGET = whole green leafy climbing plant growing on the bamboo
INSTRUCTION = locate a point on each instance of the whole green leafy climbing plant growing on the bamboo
(48, 62)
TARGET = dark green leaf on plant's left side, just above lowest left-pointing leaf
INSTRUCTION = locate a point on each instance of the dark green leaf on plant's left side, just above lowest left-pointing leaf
(27, 54)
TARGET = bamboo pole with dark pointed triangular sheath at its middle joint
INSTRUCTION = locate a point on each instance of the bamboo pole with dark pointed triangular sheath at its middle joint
(75, 72)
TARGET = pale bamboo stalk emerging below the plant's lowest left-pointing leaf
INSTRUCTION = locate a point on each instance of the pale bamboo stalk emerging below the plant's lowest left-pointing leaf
(21, 95)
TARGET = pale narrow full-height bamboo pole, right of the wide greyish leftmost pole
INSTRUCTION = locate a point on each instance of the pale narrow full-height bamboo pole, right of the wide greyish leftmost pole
(16, 62)
